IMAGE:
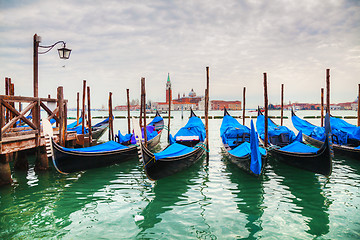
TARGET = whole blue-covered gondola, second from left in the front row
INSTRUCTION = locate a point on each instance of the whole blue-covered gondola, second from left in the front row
(186, 148)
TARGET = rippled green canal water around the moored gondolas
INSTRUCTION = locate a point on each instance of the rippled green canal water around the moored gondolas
(213, 200)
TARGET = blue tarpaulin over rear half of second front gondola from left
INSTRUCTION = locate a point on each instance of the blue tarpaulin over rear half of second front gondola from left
(194, 127)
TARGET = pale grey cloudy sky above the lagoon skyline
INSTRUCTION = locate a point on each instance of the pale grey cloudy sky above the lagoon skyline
(115, 43)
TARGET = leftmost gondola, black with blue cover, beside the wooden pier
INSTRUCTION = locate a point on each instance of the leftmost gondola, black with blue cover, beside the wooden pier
(69, 160)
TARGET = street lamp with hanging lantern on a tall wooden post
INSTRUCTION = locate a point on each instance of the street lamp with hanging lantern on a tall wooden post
(64, 53)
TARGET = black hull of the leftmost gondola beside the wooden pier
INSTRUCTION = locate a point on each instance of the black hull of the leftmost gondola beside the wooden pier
(69, 162)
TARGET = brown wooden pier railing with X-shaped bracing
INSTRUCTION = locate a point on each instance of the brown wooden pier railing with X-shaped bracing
(9, 115)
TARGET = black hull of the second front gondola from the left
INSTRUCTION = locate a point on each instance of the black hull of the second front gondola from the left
(157, 169)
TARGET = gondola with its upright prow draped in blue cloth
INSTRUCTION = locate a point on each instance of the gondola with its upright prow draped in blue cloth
(241, 145)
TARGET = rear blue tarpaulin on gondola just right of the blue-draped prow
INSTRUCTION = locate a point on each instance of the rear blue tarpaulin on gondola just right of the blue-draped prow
(273, 129)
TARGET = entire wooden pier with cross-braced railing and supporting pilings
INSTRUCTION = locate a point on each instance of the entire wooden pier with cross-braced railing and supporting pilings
(16, 138)
